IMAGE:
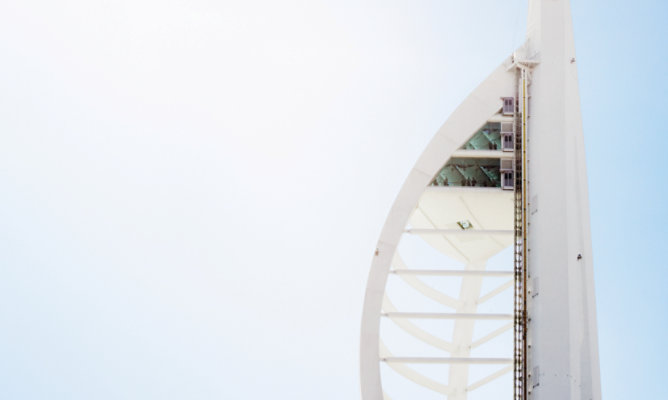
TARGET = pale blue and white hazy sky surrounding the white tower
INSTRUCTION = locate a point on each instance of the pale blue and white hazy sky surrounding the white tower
(191, 191)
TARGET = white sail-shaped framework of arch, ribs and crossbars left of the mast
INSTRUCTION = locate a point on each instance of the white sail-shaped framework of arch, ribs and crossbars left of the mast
(481, 106)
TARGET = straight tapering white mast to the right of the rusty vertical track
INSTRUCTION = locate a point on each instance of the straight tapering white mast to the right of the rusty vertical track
(562, 330)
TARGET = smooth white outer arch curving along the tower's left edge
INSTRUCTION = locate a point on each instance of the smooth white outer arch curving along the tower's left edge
(473, 113)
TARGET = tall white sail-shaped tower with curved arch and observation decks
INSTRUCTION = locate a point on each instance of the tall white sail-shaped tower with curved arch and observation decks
(499, 195)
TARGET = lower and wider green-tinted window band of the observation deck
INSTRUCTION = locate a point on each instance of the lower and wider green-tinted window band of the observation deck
(480, 172)
